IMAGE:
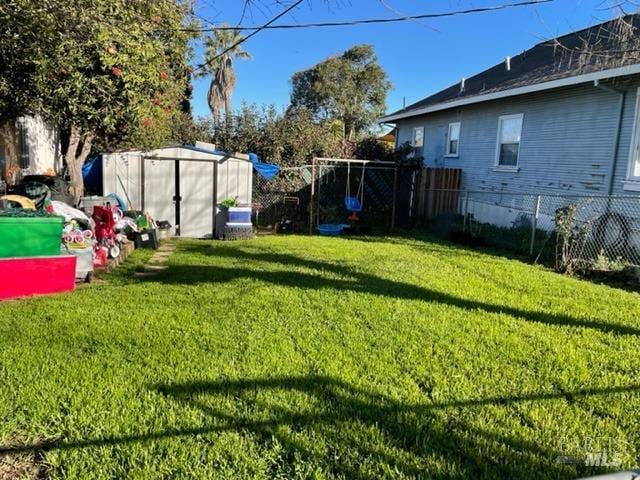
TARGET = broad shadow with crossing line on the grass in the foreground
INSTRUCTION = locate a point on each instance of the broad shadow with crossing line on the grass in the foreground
(351, 427)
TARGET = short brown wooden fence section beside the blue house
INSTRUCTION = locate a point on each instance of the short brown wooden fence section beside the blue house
(438, 191)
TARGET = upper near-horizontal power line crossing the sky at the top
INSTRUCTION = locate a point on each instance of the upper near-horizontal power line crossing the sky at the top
(375, 20)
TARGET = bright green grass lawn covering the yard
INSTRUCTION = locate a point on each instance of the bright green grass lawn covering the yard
(308, 357)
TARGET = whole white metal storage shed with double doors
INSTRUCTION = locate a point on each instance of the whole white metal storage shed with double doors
(182, 184)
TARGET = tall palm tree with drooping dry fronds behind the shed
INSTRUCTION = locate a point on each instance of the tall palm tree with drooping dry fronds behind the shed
(221, 49)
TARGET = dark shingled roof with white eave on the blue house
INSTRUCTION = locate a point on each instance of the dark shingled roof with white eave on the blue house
(611, 45)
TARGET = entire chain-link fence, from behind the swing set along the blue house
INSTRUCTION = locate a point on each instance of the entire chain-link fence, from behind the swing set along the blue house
(573, 232)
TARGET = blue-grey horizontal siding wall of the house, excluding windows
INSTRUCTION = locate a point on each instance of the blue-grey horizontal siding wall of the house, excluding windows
(568, 136)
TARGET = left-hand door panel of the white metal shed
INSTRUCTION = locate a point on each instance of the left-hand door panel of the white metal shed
(159, 187)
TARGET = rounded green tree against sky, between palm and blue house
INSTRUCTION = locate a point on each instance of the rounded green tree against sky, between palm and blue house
(351, 88)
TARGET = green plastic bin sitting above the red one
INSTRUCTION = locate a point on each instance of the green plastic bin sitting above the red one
(30, 237)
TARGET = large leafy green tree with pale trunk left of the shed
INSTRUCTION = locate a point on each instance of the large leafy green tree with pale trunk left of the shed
(113, 71)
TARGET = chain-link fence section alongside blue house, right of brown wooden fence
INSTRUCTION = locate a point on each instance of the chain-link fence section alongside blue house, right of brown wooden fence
(575, 232)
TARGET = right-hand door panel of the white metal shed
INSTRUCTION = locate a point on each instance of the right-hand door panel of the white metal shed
(197, 205)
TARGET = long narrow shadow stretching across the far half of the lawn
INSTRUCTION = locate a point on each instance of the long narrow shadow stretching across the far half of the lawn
(351, 280)
